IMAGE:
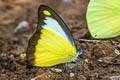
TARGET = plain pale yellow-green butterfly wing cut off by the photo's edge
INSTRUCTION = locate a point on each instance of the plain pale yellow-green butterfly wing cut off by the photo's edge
(103, 18)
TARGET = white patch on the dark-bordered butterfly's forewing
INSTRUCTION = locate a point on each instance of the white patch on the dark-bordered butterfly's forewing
(53, 25)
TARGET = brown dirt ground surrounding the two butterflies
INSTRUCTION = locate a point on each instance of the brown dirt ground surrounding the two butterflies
(100, 59)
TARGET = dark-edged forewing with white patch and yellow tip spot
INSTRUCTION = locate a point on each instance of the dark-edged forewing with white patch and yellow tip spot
(50, 20)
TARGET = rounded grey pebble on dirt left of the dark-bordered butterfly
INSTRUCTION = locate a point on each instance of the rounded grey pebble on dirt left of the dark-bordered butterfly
(22, 27)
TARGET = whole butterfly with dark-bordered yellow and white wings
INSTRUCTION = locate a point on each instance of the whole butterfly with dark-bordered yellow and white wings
(52, 43)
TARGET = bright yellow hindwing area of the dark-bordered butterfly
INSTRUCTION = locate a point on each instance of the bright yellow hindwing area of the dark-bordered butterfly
(52, 49)
